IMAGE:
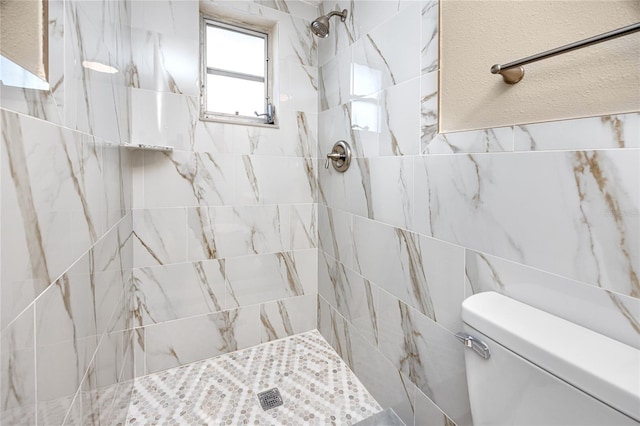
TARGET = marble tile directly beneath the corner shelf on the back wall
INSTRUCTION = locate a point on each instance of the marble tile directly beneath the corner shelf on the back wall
(190, 179)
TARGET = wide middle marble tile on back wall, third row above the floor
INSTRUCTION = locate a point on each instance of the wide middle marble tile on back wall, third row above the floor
(220, 232)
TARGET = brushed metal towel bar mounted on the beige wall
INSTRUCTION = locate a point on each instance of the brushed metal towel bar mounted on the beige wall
(513, 71)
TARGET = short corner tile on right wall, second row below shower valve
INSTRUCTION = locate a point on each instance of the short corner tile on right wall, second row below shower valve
(335, 230)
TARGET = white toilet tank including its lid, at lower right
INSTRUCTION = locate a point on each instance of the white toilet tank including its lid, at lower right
(544, 370)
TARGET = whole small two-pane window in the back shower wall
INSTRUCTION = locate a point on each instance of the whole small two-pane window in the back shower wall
(235, 74)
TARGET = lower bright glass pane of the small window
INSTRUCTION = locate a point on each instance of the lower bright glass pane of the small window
(230, 95)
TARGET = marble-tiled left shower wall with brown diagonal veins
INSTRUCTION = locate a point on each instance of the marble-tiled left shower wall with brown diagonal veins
(66, 251)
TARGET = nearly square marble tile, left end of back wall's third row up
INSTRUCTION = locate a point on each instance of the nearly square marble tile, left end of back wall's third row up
(160, 236)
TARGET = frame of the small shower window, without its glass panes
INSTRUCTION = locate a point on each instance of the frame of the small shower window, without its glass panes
(242, 27)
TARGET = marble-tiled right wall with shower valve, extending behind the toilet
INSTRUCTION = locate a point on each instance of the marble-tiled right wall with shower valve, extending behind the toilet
(546, 213)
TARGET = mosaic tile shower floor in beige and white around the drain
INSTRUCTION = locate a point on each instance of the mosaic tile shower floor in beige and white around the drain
(316, 385)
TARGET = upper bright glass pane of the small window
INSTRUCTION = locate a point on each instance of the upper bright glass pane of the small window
(234, 51)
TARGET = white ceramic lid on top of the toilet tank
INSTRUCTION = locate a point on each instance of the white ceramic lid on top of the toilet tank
(602, 367)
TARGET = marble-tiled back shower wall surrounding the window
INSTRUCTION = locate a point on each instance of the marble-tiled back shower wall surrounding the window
(225, 226)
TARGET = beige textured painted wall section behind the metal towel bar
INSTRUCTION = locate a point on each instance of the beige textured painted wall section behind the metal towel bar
(598, 80)
